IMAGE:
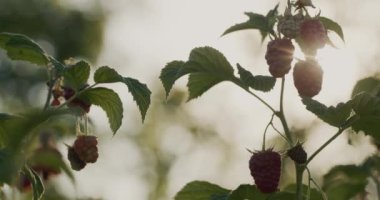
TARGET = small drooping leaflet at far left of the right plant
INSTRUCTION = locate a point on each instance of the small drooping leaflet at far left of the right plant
(169, 74)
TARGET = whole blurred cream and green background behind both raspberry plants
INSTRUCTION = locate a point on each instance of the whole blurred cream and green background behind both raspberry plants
(207, 138)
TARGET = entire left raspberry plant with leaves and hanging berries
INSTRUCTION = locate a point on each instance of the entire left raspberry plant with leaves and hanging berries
(69, 92)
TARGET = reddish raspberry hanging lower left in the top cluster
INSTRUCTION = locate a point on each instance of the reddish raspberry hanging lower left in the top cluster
(279, 56)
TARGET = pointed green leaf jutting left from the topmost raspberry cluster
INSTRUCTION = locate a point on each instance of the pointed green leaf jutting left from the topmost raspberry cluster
(255, 21)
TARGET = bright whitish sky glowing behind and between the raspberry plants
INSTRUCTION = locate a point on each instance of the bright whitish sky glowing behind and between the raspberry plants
(142, 36)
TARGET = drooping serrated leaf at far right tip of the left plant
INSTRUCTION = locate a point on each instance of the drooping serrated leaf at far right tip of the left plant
(141, 94)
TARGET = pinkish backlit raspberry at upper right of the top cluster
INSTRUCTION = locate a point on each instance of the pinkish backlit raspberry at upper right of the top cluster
(313, 35)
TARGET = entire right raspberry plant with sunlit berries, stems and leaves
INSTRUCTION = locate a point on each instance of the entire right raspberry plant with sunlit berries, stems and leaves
(294, 27)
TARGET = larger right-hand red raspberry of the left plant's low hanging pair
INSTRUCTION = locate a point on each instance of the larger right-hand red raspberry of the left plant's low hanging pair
(85, 147)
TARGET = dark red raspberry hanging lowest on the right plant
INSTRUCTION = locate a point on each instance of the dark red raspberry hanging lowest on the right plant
(265, 167)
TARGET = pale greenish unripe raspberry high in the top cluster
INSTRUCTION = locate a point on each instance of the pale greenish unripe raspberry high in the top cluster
(289, 25)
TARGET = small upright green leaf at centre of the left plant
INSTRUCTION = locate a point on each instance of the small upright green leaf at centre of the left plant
(76, 76)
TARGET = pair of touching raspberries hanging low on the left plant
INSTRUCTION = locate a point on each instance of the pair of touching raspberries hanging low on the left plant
(83, 151)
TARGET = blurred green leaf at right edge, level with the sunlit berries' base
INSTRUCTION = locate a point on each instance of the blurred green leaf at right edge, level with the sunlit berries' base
(370, 85)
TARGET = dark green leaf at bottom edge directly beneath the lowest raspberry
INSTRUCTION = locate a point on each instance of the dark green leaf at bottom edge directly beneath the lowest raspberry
(247, 192)
